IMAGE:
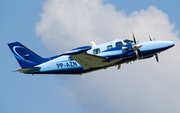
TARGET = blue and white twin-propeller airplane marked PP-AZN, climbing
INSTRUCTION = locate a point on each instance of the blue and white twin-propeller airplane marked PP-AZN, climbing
(88, 58)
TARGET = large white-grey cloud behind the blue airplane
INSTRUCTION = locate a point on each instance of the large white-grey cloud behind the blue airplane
(143, 86)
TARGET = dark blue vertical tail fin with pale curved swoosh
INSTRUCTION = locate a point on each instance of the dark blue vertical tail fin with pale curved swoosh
(25, 57)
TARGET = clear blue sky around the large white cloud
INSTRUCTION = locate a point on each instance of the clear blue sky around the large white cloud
(44, 93)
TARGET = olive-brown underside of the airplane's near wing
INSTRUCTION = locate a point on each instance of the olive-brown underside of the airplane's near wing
(88, 61)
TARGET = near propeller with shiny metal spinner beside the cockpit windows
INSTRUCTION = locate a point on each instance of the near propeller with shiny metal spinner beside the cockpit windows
(136, 48)
